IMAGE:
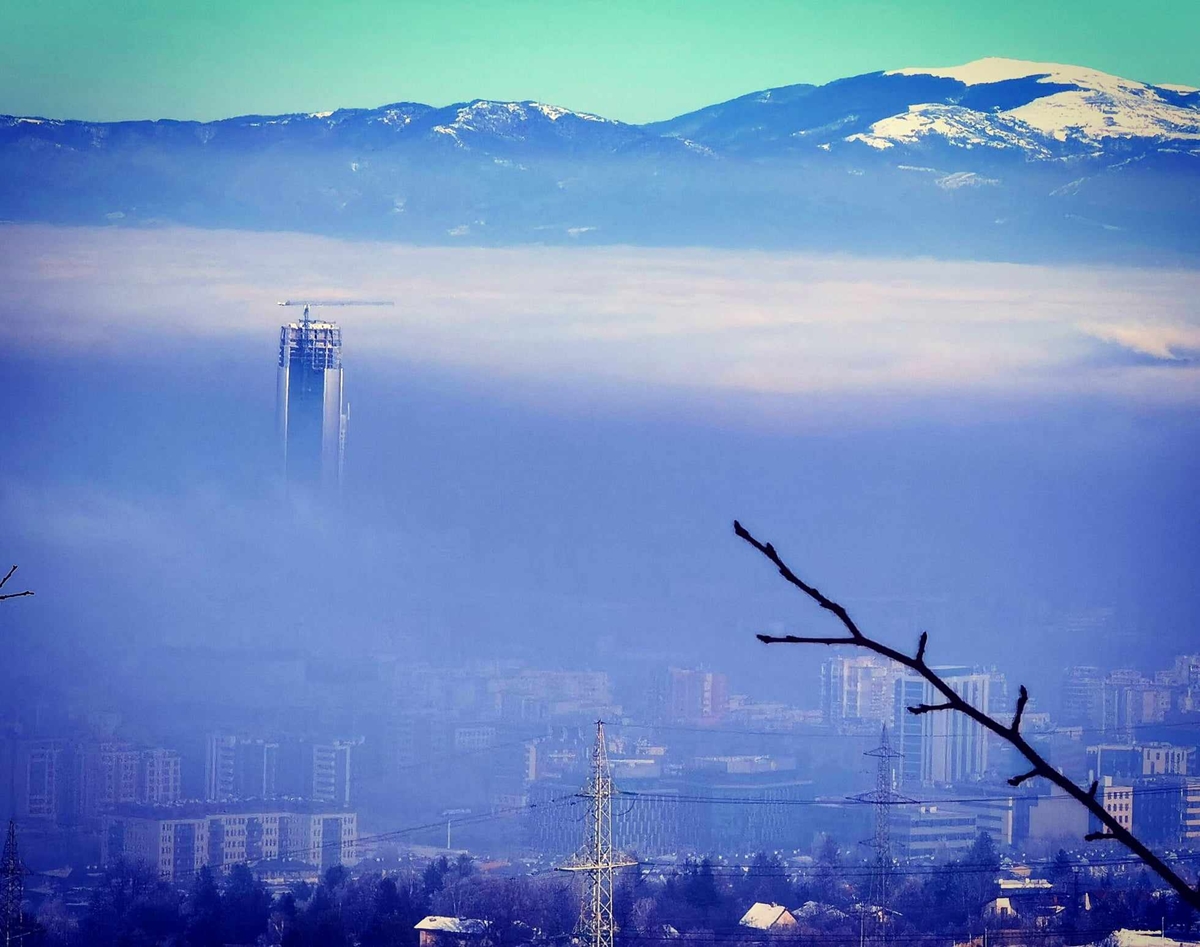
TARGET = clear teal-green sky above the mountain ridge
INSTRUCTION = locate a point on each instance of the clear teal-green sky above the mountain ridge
(633, 61)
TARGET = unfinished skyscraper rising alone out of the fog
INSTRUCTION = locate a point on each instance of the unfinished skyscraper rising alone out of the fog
(311, 412)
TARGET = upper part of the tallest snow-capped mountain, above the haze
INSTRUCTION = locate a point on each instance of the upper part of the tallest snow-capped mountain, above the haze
(1036, 110)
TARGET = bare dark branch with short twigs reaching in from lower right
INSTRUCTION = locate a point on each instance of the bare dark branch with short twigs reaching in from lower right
(953, 703)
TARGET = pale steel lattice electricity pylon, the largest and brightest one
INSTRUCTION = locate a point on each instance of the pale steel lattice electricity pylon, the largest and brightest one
(598, 858)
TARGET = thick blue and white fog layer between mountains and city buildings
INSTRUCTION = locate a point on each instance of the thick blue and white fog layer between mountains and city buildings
(548, 448)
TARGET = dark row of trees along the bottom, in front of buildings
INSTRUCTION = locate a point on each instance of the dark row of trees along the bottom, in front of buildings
(701, 902)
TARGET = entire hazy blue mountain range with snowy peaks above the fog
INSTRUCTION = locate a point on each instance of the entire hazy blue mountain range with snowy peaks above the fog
(994, 159)
